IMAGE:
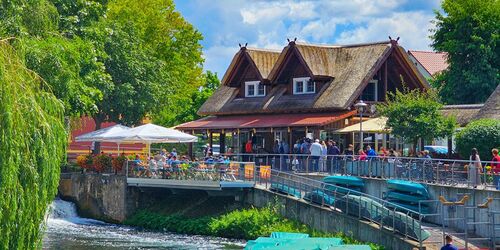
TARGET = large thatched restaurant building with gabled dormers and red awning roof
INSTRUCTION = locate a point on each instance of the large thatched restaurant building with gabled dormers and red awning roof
(302, 90)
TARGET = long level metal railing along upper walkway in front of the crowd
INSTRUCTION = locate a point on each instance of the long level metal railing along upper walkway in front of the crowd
(438, 171)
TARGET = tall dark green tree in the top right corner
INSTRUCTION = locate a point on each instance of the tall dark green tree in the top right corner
(469, 32)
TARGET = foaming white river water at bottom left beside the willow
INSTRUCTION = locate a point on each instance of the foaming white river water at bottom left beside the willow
(66, 230)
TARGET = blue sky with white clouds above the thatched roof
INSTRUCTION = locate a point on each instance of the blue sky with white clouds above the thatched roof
(267, 24)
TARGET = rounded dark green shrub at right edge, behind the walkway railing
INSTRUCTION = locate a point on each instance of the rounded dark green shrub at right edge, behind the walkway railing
(482, 134)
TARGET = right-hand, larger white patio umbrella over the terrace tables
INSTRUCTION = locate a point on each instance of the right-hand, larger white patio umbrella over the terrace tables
(151, 133)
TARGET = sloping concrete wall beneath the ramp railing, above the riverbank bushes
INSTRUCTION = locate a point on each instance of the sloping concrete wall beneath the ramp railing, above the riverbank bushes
(324, 219)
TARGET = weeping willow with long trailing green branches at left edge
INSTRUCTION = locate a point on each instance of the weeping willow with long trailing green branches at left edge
(32, 144)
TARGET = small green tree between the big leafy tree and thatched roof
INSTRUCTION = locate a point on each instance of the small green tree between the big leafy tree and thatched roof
(186, 109)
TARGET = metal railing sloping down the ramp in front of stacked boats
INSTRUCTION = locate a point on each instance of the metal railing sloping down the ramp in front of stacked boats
(384, 214)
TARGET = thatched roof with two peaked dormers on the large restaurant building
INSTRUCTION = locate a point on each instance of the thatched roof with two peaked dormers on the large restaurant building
(348, 68)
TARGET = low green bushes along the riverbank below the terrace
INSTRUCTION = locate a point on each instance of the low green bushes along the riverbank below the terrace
(246, 223)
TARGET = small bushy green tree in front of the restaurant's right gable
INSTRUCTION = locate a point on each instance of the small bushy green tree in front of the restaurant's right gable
(413, 114)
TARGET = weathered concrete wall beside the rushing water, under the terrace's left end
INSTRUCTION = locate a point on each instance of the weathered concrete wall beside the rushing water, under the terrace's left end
(103, 197)
